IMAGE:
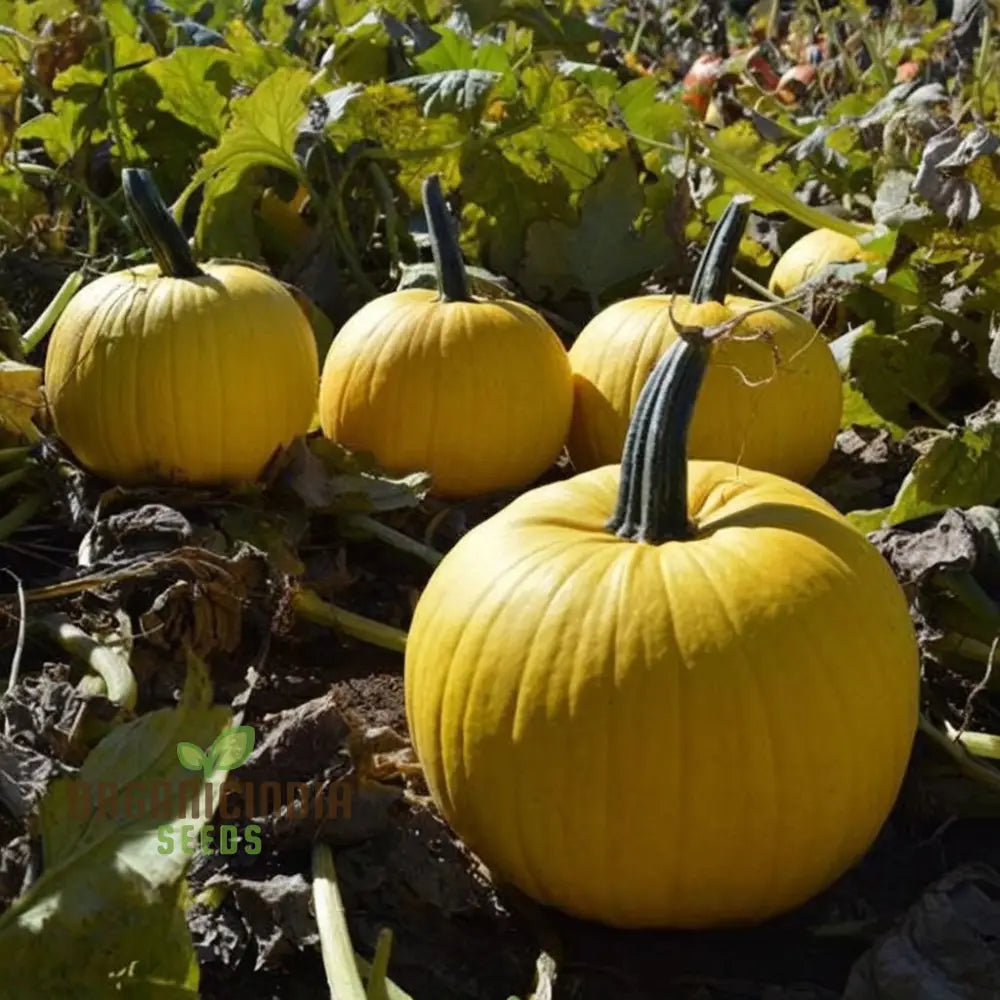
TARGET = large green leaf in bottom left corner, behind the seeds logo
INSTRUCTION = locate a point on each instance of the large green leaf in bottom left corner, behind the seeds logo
(109, 903)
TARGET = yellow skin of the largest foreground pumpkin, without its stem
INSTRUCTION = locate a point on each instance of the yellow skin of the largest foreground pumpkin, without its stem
(697, 733)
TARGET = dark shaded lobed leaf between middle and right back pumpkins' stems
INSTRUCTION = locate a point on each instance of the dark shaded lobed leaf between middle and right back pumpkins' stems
(606, 248)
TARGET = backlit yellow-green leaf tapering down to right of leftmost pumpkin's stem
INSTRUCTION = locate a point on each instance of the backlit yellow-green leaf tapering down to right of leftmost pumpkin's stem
(261, 132)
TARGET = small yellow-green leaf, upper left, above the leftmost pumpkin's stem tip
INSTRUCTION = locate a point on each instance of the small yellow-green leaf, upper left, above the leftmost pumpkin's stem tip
(195, 84)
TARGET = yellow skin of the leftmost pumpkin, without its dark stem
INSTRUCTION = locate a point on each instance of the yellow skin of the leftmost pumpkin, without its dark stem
(195, 380)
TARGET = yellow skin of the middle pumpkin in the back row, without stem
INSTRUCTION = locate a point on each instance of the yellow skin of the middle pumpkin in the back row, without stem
(479, 393)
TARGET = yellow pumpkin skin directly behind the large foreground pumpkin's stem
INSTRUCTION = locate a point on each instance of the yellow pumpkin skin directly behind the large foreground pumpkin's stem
(773, 405)
